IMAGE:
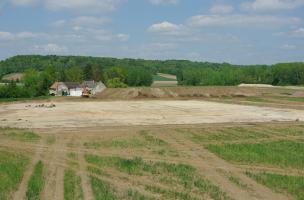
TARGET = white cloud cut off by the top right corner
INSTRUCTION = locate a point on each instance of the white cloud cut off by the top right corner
(272, 5)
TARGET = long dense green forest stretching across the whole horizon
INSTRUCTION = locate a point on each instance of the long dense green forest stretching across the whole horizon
(41, 71)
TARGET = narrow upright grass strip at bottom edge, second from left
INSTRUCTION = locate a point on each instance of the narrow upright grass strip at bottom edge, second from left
(36, 183)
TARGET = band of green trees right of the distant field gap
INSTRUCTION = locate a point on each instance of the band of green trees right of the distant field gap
(228, 75)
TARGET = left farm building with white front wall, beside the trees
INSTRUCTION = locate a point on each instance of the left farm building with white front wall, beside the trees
(66, 89)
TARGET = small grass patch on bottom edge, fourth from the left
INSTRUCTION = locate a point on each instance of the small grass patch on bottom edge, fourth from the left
(102, 190)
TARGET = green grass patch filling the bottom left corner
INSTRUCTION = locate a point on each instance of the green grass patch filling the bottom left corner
(12, 167)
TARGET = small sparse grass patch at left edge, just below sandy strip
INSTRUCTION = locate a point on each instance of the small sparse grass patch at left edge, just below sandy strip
(20, 134)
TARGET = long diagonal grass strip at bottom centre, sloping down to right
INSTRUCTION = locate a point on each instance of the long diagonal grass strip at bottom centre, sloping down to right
(180, 174)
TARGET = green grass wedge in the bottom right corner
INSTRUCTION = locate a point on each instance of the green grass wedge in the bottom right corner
(292, 185)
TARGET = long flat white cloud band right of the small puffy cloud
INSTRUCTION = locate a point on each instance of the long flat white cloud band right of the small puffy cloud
(253, 21)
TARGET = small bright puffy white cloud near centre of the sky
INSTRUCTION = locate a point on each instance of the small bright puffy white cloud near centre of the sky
(167, 28)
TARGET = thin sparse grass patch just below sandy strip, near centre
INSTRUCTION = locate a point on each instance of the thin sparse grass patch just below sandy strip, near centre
(144, 139)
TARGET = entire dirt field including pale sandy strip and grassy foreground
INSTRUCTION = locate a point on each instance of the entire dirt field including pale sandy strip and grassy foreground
(138, 148)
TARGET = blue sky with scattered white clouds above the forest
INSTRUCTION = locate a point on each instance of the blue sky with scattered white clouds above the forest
(233, 31)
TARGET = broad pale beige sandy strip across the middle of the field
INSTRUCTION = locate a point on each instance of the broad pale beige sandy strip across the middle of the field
(148, 112)
